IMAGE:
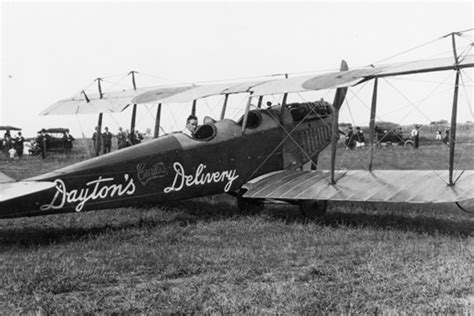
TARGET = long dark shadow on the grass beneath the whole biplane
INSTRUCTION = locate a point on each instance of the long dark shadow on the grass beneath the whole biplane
(195, 211)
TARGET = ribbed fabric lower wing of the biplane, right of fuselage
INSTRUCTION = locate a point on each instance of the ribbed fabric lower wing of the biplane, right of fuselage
(410, 186)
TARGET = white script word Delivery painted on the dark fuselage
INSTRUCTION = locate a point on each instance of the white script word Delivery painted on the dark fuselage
(181, 179)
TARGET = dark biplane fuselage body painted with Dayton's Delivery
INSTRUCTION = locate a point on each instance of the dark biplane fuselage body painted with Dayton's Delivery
(220, 158)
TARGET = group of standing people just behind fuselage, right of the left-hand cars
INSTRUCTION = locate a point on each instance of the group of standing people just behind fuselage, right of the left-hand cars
(124, 139)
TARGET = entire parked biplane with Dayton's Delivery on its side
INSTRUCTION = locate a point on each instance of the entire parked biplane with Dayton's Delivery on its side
(258, 158)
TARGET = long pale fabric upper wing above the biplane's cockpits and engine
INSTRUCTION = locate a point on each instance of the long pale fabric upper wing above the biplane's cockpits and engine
(119, 100)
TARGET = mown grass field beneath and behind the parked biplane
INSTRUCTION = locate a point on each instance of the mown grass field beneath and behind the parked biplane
(202, 256)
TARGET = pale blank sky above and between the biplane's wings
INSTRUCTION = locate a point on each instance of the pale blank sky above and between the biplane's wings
(53, 50)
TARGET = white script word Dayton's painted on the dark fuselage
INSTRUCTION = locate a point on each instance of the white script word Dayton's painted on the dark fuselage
(98, 189)
